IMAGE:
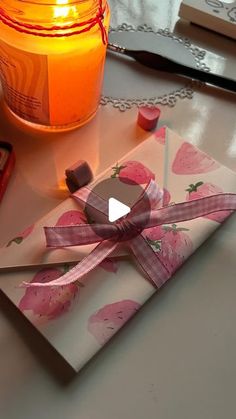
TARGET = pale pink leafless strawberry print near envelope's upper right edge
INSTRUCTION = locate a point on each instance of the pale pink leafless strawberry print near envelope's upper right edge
(190, 161)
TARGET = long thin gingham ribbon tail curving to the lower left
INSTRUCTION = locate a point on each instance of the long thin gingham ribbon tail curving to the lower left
(82, 268)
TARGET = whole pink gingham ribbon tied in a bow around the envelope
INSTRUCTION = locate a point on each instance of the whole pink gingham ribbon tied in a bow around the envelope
(129, 230)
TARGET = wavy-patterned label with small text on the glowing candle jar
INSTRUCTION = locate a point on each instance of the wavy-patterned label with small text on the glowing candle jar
(24, 77)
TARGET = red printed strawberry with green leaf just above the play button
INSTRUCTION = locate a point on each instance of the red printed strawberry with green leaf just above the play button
(133, 173)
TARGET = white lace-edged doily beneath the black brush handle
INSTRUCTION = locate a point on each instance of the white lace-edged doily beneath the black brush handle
(128, 83)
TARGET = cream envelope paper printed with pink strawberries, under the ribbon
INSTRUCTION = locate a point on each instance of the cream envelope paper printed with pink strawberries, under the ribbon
(79, 318)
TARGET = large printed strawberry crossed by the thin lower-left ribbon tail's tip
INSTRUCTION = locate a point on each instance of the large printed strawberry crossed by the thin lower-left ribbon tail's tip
(52, 302)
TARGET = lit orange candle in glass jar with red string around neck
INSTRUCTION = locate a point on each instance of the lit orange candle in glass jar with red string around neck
(52, 55)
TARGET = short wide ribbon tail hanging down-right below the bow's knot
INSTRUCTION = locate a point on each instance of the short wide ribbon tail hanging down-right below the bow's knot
(149, 261)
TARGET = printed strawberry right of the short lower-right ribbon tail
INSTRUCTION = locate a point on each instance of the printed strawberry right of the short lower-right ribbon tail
(173, 245)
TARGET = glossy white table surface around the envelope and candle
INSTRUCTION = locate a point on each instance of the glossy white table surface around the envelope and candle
(176, 358)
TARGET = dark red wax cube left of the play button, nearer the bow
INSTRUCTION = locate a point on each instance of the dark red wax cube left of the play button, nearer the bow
(78, 175)
